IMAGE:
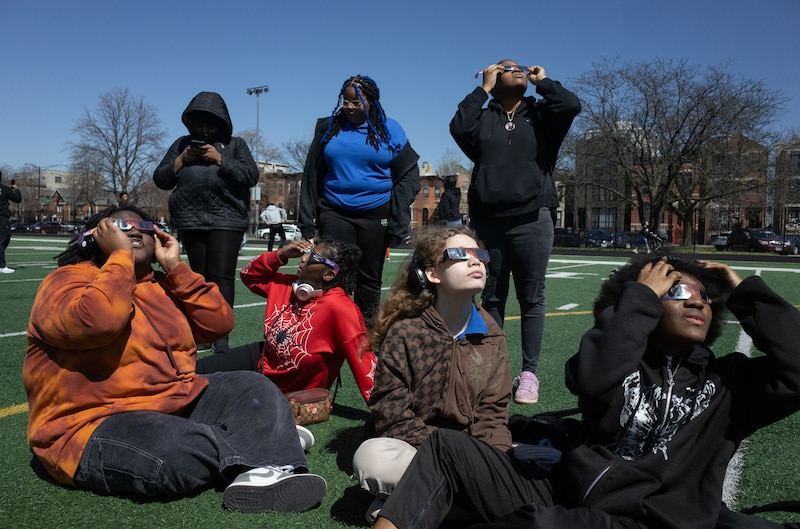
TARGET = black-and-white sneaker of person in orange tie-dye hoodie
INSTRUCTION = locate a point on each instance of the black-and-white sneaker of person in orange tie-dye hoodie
(268, 488)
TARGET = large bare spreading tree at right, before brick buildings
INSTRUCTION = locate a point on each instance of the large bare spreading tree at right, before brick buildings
(652, 120)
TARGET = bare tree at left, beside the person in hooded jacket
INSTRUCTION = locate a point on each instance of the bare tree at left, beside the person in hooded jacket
(119, 141)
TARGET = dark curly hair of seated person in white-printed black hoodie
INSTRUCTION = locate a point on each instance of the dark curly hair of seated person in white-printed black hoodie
(716, 285)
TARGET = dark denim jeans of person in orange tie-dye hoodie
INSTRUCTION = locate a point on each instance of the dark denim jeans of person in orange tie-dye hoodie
(241, 421)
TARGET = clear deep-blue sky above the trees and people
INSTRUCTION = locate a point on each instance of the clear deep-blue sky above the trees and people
(59, 56)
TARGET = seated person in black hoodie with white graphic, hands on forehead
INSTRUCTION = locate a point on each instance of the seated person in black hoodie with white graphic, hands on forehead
(662, 415)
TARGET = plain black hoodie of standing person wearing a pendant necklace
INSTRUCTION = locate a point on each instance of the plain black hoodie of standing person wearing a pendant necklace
(513, 172)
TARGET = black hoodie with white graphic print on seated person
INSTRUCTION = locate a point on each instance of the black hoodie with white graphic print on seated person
(666, 469)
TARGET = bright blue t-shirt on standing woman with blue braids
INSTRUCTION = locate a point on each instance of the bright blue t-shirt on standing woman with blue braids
(359, 177)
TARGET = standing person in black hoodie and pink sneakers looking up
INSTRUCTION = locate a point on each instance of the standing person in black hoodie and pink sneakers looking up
(514, 144)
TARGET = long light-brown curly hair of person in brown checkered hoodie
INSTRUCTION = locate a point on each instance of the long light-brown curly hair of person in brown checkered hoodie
(401, 302)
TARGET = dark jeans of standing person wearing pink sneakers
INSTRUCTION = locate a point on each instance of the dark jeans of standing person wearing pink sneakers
(518, 246)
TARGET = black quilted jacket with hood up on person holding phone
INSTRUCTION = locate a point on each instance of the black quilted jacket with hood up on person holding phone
(209, 196)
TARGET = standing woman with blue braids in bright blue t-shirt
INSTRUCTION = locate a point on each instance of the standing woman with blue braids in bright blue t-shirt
(360, 179)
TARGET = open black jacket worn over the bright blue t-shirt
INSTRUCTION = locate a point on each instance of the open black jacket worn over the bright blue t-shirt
(405, 180)
